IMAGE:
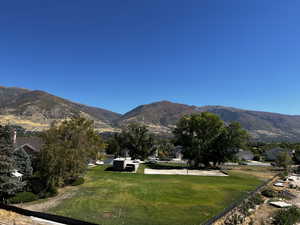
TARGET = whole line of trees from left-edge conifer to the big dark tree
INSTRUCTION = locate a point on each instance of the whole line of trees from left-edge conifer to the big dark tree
(204, 139)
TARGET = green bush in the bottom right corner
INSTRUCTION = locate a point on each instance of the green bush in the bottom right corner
(287, 216)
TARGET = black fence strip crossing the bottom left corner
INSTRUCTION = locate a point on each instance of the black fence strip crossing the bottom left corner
(45, 216)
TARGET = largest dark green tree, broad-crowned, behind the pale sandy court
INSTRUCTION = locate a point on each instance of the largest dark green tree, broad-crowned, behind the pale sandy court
(205, 138)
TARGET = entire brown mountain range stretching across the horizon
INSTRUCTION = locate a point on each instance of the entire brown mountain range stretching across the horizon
(35, 110)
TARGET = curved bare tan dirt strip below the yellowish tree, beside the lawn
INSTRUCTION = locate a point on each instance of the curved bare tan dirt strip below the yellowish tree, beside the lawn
(63, 193)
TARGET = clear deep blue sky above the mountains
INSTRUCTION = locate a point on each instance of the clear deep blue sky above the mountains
(117, 54)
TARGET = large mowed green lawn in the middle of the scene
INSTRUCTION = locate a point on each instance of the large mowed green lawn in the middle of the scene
(112, 198)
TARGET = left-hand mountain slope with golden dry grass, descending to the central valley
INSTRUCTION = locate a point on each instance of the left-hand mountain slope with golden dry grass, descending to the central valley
(37, 109)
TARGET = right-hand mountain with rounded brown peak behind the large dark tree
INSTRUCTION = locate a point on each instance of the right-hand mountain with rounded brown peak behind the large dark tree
(162, 116)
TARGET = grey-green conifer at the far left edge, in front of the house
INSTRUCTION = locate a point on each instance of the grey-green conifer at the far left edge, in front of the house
(8, 184)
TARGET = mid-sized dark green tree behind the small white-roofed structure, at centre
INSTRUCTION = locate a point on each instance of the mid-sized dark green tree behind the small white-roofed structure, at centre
(136, 139)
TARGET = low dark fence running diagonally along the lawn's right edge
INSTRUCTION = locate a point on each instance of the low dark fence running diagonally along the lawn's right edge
(238, 202)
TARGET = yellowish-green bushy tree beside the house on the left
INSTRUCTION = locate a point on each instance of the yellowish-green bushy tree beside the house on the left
(67, 149)
